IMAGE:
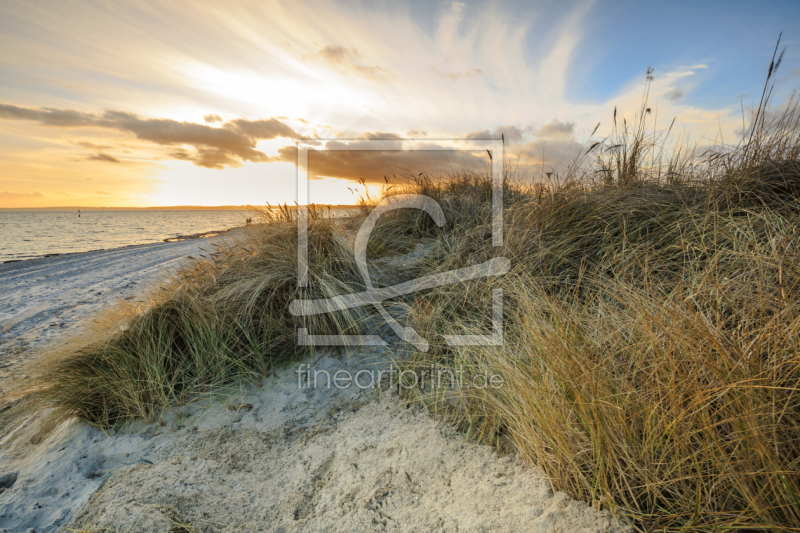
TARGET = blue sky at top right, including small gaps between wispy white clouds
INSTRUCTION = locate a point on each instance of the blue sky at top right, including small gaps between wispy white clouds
(622, 37)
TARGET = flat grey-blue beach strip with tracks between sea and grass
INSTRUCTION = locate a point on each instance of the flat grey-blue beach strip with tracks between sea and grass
(40, 298)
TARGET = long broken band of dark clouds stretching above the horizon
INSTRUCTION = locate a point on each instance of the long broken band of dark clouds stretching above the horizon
(234, 141)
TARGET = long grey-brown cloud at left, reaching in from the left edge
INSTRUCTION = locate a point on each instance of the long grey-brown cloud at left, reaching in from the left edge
(214, 147)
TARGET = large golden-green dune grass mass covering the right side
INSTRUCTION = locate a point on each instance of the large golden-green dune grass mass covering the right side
(651, 361)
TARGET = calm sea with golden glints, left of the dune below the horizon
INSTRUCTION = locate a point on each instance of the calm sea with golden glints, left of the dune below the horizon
(34, 233)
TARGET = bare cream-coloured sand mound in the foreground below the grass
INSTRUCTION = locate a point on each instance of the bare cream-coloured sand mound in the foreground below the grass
(377, 466)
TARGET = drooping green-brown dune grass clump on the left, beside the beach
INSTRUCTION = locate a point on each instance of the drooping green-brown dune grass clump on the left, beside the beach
(224, 318)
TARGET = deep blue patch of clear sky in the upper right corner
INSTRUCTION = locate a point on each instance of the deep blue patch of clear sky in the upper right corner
(733, 38)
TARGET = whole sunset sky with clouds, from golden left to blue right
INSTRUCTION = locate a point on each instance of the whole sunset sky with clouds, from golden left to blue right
(139, 103)
